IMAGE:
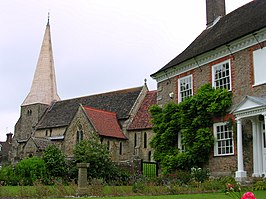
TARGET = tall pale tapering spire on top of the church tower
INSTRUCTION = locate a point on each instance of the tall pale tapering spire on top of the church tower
(43, 89)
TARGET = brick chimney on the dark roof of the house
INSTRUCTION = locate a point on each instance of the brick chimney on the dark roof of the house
(214, 10)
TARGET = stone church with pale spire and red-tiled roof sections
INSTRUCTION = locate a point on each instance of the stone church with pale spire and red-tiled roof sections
(120, 118)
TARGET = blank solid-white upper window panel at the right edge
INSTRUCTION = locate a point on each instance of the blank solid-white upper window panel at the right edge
(259, 66)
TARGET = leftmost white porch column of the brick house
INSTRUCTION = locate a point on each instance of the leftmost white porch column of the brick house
(240, 173)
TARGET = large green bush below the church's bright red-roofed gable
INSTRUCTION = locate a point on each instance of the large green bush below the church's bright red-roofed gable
(95, 153)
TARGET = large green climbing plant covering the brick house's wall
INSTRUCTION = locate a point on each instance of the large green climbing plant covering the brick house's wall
(193, 119)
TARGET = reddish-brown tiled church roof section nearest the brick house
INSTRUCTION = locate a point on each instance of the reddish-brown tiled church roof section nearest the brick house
(142, 120)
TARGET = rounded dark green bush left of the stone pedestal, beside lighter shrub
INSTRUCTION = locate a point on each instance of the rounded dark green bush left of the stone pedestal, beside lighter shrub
(54, 161)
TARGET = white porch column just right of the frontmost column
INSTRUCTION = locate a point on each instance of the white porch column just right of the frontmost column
(255, 131)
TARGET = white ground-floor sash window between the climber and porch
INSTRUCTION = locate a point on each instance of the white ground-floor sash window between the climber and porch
(223, 139)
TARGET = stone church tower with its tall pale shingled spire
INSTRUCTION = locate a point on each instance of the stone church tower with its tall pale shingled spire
(42, 95)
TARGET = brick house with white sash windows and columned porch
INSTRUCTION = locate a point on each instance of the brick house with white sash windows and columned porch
(230, 53)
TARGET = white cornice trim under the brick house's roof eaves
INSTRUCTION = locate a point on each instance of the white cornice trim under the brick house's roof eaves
(210, 56)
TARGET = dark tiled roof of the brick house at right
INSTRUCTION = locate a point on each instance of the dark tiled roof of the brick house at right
(241, 22)
